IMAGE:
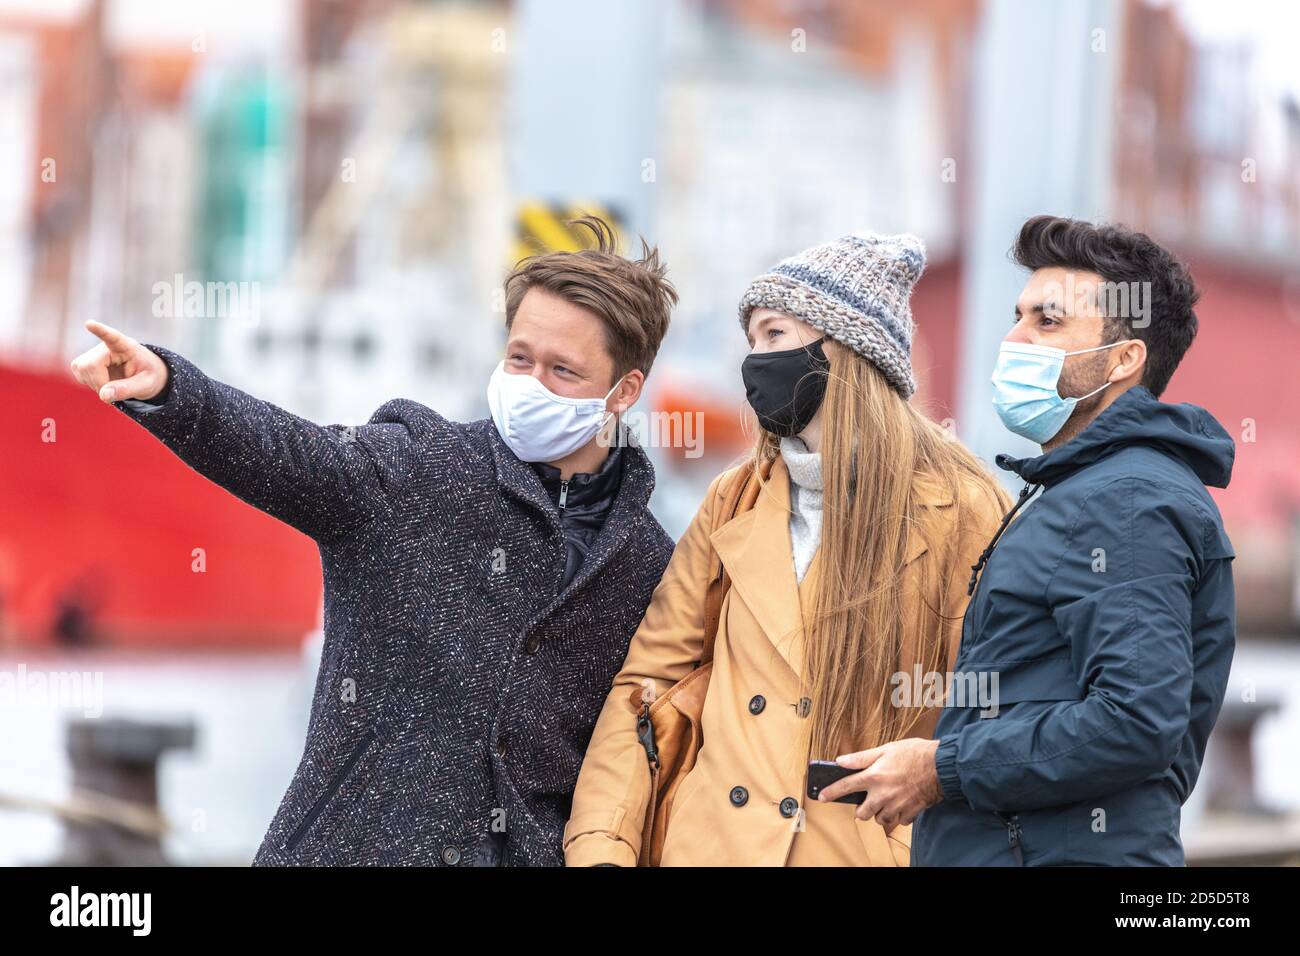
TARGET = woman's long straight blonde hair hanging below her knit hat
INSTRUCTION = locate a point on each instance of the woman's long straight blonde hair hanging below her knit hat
(874, 447)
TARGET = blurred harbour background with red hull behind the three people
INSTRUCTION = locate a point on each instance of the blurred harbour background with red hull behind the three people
(318, 201)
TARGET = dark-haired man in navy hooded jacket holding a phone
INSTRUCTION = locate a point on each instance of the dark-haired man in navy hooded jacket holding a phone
(1106, 611)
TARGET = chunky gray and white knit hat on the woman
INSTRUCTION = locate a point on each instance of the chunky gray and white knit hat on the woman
(856, 291)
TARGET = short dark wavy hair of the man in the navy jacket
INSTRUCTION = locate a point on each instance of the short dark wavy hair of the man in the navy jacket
(1123, 256)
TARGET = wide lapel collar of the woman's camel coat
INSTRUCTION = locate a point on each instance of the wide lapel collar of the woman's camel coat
(757, 552)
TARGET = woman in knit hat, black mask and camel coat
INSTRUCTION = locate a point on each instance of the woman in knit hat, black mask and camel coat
(847, 585)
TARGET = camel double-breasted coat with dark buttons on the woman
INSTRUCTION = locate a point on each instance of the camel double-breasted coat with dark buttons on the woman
(744, 802)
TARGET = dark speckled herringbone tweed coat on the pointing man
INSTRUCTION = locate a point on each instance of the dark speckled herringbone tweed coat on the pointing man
(460, 684)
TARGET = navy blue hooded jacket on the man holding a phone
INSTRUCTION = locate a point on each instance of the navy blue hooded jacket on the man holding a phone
(1107, 616)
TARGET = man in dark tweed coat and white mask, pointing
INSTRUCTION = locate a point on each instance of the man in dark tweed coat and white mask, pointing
(483, 581)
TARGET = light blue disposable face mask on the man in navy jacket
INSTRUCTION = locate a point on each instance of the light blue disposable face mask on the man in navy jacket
(1025, 390)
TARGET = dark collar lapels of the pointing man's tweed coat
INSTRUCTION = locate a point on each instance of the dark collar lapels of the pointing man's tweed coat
(519, 481)
